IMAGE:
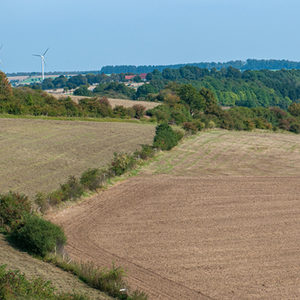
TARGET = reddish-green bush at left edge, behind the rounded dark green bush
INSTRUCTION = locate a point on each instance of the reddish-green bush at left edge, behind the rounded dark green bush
(13, 209)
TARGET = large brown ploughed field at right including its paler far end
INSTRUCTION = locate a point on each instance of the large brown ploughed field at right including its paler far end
(215, 218)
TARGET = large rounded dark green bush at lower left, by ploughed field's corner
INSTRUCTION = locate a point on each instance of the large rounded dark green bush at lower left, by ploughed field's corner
(38, 236)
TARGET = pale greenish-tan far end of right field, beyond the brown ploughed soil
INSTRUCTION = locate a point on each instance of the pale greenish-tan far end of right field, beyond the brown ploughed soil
(232, 153)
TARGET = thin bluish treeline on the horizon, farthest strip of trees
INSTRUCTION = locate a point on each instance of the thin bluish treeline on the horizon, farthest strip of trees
(249, 64)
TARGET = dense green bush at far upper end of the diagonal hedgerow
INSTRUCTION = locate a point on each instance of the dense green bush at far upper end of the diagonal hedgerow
(165, 137)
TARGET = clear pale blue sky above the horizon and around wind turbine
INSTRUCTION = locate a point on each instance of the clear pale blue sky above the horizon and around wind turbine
(88, 34)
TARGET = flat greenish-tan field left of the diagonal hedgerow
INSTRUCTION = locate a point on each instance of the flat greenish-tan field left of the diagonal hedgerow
(38, 155)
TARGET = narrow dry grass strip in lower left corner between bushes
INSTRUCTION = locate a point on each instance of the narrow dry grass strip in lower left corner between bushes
(63, 281)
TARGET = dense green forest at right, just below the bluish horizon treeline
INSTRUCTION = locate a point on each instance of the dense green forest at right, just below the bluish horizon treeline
(231, 86)
